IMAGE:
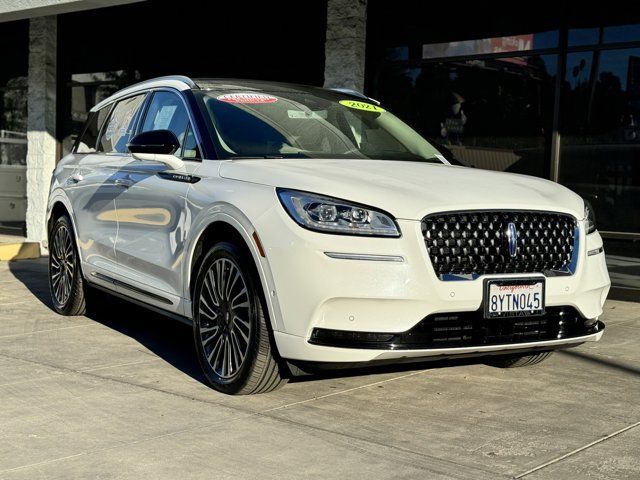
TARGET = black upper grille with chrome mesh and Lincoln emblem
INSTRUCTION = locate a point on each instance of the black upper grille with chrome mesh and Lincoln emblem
(474, 243)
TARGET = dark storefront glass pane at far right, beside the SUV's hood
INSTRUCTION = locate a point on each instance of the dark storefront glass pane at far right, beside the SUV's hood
(600, 133)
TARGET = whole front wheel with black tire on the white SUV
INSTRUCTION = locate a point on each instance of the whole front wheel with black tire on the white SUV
(230, 325)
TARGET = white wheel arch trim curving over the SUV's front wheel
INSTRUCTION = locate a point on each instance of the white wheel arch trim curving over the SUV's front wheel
(227, 213)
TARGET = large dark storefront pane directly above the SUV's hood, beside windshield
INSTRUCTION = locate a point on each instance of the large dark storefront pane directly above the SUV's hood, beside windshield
(490, 113)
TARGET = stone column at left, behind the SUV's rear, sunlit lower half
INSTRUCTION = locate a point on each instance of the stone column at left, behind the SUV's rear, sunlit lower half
(41, 122)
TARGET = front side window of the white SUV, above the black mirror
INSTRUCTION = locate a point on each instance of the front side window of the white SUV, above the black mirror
(167, 112)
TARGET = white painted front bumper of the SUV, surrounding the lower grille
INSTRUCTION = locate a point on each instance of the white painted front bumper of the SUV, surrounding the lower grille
(311, 290)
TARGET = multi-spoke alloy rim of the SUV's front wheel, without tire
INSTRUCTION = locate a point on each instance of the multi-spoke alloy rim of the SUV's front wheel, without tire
(225, 318)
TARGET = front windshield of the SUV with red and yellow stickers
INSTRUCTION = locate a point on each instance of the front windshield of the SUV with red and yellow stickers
(301, 122)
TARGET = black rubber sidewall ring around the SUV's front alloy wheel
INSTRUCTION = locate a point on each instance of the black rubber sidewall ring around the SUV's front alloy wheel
(230, 252)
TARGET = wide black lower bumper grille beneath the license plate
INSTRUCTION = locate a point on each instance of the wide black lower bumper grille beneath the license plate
(466, 329)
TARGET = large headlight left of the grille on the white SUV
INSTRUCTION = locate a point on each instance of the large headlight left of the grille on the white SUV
(332, 215)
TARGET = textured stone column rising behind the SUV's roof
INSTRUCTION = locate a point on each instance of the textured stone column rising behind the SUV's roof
(345, 44)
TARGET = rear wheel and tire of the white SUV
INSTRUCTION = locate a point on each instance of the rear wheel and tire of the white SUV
(68, 289)
